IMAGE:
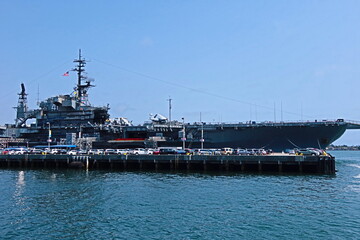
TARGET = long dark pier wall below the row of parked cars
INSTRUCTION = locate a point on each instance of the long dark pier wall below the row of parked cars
(223, 163)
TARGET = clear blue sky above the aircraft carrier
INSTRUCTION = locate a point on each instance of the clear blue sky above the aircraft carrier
(230, 60)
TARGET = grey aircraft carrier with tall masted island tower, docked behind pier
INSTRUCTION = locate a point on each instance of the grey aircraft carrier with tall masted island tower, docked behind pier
(71, 119)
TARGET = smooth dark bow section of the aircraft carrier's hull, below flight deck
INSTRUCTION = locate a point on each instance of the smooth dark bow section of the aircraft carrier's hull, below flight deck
(276, 137)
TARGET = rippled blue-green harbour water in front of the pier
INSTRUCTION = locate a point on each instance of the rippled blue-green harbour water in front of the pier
(79, 204)
